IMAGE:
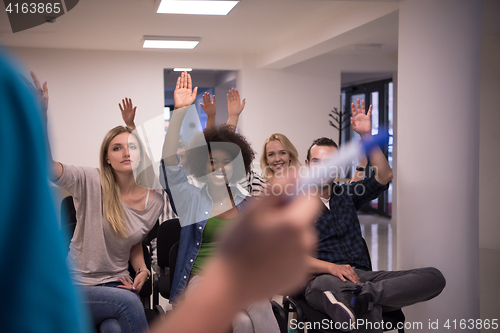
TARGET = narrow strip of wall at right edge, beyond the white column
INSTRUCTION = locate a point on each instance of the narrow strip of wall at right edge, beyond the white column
(489, 159)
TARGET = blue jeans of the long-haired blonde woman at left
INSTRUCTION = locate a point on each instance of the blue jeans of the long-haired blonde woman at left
(115, 310)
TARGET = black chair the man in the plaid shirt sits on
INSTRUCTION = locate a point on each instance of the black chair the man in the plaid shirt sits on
(306, 313)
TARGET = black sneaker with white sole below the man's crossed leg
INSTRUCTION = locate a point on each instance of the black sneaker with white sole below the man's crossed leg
(348, 306)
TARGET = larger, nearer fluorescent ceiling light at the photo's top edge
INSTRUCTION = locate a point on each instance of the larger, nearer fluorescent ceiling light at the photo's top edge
(196, 7)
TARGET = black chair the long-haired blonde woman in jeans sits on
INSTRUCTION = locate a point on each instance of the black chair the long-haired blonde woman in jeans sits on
(68, 225)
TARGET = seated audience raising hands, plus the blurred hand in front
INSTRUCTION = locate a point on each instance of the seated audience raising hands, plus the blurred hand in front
(239, 242)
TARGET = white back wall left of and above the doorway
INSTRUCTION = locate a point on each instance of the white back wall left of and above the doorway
(86, 86)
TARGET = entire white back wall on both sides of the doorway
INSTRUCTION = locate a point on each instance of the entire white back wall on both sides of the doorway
(86, 86)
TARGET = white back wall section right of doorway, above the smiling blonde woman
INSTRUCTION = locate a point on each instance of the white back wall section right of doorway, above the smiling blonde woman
(281, 102)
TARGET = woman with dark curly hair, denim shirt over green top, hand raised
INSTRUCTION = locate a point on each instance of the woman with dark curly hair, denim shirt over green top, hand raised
(219, 158)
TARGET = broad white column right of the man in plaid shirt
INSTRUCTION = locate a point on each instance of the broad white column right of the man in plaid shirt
(437, 152)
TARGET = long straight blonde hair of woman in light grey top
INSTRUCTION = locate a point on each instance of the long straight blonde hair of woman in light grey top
(111, 197)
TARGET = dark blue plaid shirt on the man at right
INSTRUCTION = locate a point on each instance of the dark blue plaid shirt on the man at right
(338, 228)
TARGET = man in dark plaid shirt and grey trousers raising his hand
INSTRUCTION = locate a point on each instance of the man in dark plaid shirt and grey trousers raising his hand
(343, 285)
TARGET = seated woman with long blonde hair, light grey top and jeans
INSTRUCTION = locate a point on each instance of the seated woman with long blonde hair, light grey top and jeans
(114, 215)
